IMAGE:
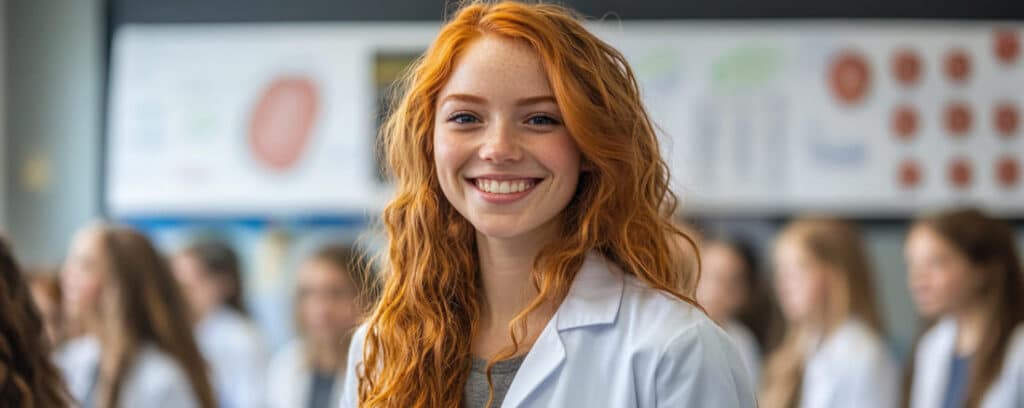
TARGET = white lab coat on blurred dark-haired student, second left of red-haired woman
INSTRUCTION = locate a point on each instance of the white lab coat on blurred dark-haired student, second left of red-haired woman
(237, 358)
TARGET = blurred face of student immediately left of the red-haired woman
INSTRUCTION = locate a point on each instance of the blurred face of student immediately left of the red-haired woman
(327, 302)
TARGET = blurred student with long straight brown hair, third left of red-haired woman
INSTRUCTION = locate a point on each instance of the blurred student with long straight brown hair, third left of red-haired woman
(138, 350)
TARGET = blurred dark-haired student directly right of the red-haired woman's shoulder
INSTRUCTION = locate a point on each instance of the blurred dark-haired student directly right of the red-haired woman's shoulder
(729, 285)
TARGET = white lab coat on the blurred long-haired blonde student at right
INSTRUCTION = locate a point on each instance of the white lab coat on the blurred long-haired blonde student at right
(850, 369)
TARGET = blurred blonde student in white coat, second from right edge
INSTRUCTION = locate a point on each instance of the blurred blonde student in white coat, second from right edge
(833, 353)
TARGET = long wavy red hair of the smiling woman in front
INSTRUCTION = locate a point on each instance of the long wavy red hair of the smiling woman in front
(417, 350)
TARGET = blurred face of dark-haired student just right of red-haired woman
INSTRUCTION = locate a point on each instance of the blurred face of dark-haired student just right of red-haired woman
(723, 290)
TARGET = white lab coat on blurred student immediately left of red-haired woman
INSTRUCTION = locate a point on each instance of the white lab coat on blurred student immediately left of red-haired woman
(290, 379)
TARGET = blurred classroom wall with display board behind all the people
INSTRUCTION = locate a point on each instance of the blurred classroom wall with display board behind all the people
(254, 123)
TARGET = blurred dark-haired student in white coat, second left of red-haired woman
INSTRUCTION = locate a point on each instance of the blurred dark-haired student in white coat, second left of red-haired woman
(210, 275)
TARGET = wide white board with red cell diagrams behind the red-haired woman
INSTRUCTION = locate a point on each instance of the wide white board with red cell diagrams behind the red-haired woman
(860, 118)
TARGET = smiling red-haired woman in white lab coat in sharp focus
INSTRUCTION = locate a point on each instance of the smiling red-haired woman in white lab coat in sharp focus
(530, 257)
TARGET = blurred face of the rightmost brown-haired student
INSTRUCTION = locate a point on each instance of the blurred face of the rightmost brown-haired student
(942, 278)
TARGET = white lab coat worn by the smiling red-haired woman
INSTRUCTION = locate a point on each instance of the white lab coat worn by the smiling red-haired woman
(617, 343)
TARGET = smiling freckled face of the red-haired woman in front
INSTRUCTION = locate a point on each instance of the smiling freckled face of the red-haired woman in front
(504, 158)
